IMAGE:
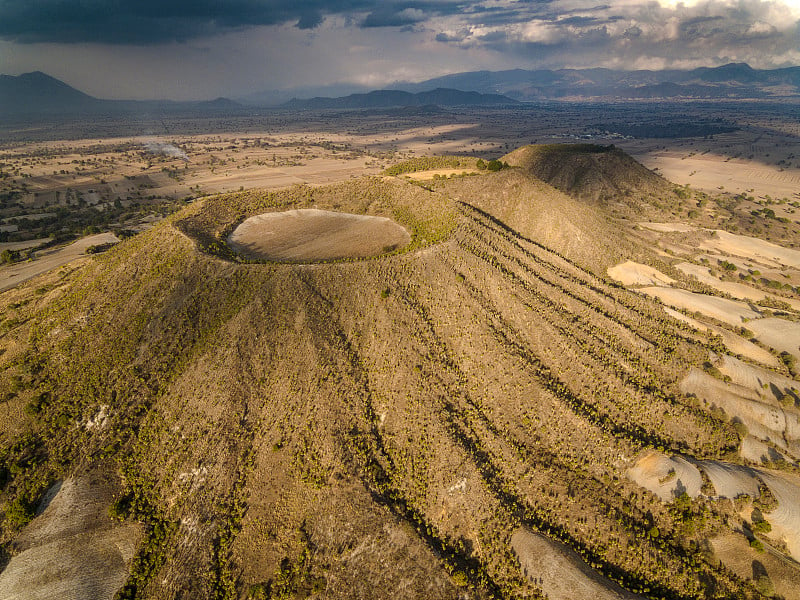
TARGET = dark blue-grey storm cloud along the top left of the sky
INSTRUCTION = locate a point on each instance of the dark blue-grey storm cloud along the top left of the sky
(157, 21)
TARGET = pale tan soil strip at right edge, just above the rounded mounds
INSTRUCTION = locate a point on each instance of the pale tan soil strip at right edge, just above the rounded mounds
(762, 415)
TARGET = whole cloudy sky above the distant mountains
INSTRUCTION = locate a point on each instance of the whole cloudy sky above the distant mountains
(202, 49)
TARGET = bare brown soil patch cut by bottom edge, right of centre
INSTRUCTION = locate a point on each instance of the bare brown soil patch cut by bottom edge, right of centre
(559, 572)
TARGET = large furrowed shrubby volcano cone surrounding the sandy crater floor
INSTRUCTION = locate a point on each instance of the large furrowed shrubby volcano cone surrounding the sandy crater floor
(377, 428)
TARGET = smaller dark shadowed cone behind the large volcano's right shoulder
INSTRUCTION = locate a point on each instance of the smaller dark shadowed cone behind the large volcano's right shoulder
(589, 171)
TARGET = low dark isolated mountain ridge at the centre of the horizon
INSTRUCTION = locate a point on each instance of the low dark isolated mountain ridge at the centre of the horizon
(387, 98)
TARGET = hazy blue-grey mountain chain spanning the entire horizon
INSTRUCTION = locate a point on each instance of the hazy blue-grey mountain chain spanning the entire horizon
(36, 94)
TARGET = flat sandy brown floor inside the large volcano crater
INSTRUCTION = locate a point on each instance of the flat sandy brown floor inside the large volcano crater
(311, 234)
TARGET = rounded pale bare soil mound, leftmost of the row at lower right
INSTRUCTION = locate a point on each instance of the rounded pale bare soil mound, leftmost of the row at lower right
(654, 471)
